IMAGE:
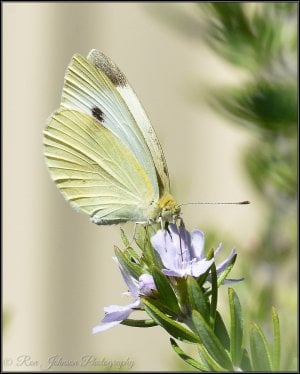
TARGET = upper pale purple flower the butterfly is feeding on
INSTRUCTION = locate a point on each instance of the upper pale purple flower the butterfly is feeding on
(182, 253)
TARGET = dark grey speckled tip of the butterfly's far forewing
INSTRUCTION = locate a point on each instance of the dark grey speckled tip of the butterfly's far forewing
(108, 67)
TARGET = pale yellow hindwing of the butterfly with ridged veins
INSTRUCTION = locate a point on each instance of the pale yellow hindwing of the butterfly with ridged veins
(96, 172)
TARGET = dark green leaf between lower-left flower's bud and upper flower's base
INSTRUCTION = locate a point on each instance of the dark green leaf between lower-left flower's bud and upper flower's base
(165, 291)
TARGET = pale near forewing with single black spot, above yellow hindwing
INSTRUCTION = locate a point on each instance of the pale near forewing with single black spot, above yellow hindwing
(89, 90)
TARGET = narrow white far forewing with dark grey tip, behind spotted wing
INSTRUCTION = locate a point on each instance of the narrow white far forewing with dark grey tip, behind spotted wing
(111, 70)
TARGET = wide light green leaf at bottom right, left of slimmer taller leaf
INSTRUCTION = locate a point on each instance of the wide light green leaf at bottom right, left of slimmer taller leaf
(260, 351)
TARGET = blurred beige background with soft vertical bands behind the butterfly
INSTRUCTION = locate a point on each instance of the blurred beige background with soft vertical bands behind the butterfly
(58, 271)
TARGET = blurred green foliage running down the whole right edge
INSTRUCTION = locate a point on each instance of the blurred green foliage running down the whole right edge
(260, 39)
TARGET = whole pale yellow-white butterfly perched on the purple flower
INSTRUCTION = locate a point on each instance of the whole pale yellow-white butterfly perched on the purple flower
(101, 149)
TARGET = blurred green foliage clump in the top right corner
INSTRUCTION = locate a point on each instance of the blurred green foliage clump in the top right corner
(252, 35)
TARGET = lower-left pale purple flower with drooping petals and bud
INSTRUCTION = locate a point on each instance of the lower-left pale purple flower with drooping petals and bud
(115, 314)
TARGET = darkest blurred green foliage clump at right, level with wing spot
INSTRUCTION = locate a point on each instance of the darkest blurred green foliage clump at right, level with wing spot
(269, 105)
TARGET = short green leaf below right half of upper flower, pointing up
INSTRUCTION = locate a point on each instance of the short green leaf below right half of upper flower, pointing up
(196, 297)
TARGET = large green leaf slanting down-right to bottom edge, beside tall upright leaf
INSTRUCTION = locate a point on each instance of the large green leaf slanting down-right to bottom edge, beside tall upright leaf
(209, 340)
